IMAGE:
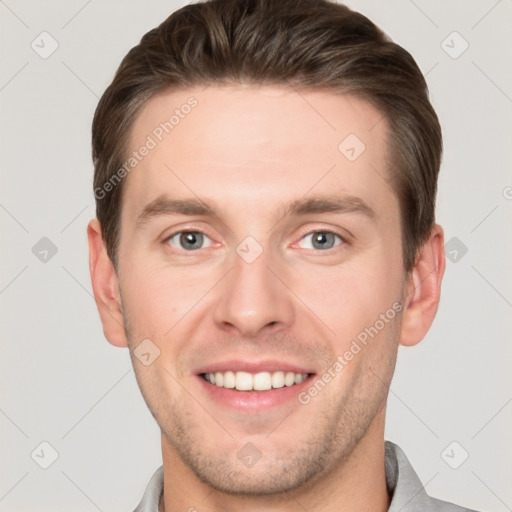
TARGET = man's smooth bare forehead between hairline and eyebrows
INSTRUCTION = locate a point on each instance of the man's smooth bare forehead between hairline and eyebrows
(254, 144)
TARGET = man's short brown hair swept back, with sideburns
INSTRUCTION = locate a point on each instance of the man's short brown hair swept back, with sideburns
(311, 44)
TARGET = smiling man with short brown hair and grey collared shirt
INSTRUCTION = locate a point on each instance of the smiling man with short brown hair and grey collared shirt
(265, 176)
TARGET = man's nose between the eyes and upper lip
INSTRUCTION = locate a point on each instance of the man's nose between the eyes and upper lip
(254, 298)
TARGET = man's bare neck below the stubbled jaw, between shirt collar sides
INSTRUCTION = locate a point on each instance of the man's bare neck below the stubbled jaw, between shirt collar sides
(356, 483)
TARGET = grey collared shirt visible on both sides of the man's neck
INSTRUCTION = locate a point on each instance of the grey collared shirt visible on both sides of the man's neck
(406, 489)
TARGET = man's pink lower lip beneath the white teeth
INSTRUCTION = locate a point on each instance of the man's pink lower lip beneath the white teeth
(254, 400)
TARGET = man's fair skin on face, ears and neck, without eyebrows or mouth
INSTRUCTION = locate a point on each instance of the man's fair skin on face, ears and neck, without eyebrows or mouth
(249, 150)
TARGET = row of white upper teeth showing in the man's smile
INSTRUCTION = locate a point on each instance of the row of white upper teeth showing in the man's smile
(263, 381)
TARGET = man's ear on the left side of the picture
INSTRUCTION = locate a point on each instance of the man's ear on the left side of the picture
(105, 287)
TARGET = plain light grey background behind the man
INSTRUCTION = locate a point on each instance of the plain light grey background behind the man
(61, 382)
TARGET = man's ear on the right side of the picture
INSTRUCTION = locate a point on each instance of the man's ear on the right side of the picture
(423, 289)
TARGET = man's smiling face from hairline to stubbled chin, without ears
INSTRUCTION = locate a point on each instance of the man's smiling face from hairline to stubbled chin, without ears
(260, 248)
